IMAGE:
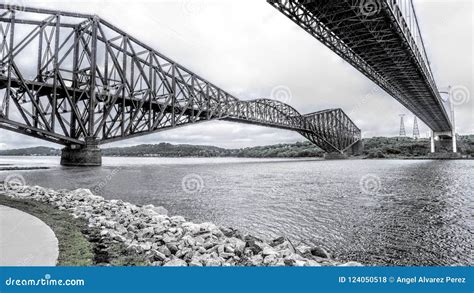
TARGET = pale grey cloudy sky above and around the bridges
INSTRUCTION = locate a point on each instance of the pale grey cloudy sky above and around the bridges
(249, 49)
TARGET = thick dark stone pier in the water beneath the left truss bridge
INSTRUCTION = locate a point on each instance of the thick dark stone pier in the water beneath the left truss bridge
(87, 155)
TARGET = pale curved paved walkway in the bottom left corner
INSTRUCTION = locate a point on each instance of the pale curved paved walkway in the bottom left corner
(25, 240)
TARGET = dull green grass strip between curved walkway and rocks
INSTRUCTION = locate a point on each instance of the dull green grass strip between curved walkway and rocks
(79, 245)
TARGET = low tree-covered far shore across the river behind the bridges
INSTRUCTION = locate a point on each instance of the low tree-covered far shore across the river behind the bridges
(376, 147)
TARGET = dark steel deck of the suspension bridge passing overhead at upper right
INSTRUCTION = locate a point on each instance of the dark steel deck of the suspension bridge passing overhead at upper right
(380, 38)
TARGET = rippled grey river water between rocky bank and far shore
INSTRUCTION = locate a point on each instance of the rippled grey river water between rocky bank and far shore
(383, 212)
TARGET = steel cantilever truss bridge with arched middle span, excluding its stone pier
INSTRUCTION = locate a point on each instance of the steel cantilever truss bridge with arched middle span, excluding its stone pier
(71, 78)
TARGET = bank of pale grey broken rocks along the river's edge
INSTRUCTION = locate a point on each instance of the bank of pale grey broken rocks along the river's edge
(163, 240)
